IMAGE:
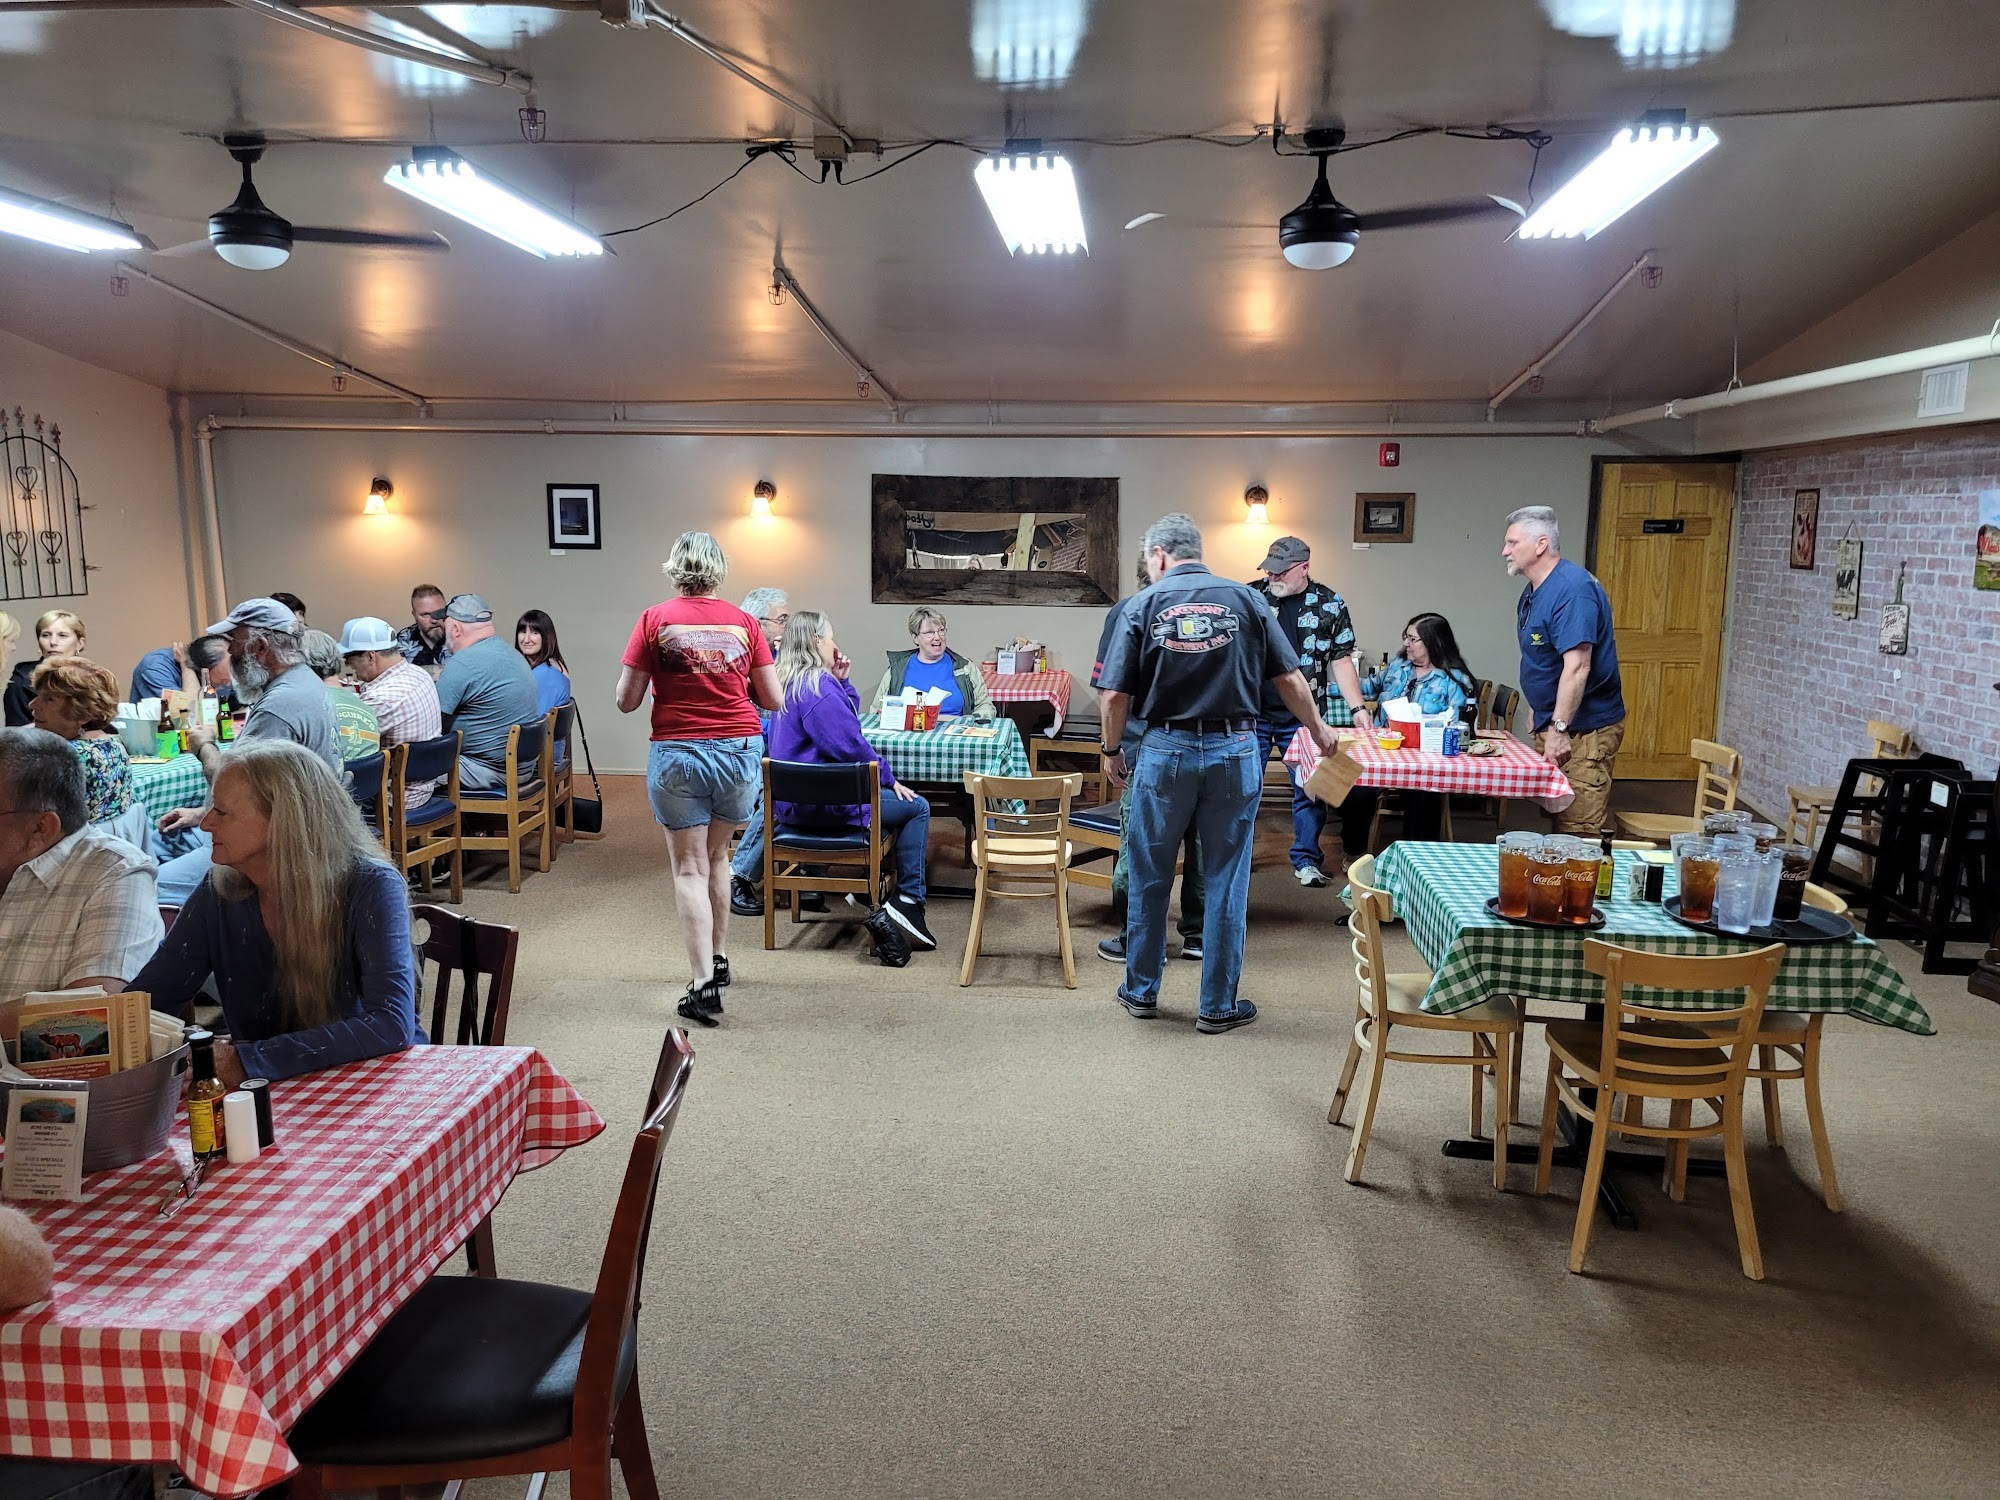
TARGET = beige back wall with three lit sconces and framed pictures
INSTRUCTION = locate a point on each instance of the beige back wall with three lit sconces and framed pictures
(469, 515)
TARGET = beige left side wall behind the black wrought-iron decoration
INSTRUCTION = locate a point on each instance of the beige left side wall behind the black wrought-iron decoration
(119, 439)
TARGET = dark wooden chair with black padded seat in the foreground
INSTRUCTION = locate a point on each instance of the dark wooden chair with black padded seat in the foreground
(477, 1377)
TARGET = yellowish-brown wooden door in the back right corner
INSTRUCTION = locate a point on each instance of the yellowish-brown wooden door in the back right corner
(1663, 555)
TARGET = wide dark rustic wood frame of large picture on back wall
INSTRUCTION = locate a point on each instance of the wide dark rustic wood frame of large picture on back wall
(897, 495)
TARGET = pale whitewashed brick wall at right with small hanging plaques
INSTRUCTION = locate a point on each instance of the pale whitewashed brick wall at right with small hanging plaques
(1803, 685)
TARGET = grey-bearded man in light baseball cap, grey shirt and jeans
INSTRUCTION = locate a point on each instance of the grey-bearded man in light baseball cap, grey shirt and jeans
(287, 703)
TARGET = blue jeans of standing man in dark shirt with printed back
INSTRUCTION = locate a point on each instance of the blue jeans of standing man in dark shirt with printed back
(1209, 783)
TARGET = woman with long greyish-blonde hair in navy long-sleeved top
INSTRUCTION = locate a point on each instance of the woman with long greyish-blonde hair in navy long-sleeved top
(303, 925)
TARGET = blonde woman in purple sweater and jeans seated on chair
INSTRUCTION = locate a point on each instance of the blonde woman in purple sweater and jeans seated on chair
(821, 725)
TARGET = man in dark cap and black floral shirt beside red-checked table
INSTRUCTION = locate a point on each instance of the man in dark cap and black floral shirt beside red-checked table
(1315, 619)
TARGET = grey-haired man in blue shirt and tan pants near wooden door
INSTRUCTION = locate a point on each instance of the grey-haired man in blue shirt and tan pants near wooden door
(1569, 665)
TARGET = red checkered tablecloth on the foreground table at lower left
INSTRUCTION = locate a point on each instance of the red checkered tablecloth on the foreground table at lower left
(201, 1339)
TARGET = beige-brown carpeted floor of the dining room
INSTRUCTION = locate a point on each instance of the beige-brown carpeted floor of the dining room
(1005, 1241)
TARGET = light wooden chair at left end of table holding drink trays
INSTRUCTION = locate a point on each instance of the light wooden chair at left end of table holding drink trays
(1389, 1003)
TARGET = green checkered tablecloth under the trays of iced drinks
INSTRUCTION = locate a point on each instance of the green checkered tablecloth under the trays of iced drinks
(1441, 893)
